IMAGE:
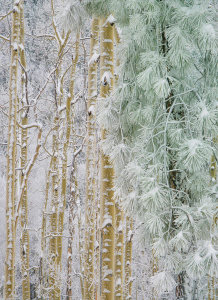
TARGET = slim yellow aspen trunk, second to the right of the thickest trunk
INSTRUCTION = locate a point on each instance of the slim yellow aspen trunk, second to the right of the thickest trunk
(128, 259)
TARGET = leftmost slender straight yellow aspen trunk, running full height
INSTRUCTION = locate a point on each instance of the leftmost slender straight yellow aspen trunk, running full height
(11, 159)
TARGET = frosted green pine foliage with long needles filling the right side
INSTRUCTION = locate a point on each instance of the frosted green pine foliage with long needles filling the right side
(162, 125)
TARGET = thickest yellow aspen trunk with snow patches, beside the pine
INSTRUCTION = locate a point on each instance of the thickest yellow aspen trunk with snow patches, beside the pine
(107, 206)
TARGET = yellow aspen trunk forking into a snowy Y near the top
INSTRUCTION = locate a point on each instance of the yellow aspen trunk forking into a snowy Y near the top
(57, 215)
